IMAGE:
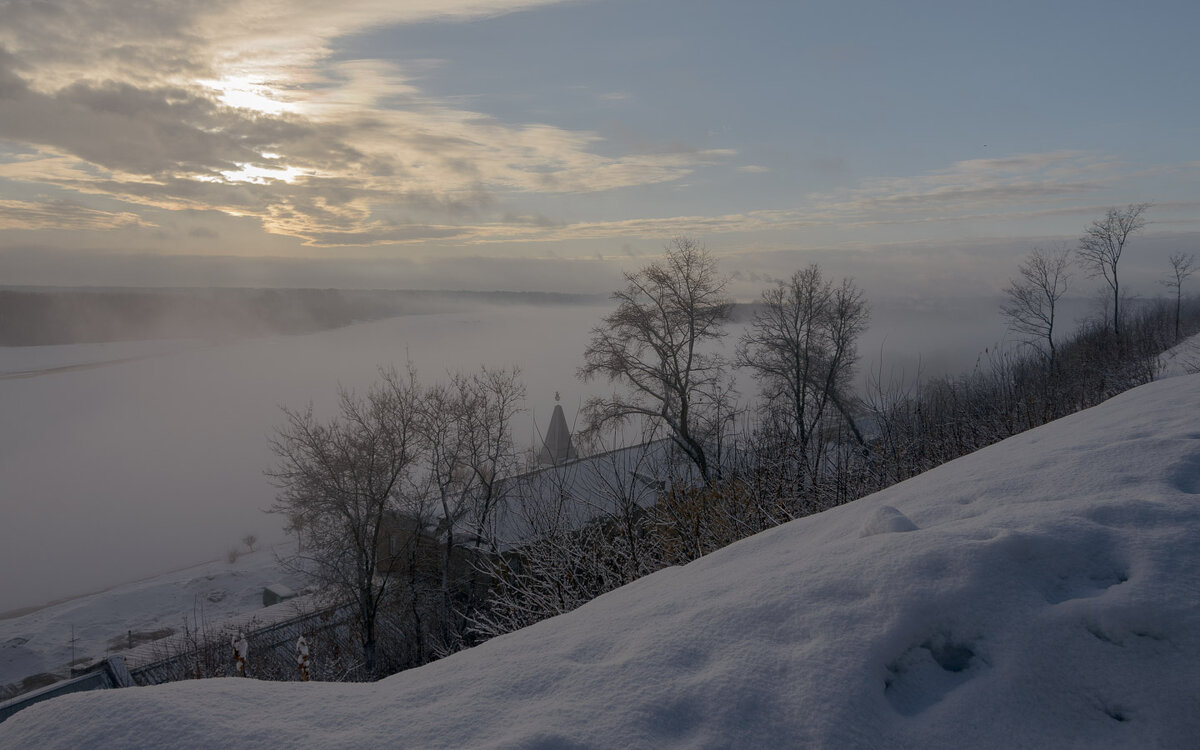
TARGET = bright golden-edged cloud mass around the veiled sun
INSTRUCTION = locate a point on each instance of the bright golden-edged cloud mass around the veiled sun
(239, 107)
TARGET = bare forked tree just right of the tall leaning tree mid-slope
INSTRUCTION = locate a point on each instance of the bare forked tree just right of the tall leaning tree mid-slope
(801, 349)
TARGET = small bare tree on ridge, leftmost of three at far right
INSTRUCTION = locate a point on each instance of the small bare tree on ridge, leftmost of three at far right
(1033, 301)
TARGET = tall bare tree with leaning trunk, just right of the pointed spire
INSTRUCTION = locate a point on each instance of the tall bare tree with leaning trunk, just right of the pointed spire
(655, 346)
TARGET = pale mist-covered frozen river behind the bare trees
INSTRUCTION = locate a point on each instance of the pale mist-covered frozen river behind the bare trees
(124, 460)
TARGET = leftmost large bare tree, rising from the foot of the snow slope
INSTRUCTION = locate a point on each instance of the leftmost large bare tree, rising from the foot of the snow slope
(338, 482)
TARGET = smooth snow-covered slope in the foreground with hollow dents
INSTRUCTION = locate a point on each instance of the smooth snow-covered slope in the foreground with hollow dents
(1040, 593)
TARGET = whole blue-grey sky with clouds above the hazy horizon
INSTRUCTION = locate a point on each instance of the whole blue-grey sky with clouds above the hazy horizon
(537, 145)
